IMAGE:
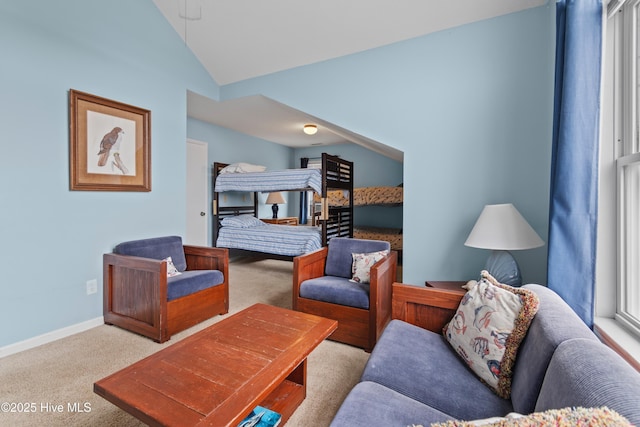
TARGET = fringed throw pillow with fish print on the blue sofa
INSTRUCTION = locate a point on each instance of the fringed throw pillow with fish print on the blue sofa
(488, 327)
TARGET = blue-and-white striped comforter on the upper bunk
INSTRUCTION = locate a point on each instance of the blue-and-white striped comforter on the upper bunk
(282, 180)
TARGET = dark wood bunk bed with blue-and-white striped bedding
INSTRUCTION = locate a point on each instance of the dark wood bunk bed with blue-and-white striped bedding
(238, 227)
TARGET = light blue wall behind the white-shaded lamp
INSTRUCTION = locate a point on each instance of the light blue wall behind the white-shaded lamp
(470, 107)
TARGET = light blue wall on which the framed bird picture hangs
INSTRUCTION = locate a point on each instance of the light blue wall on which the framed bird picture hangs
(53, 238)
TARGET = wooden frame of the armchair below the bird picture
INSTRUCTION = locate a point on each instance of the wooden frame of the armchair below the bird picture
(135, 293)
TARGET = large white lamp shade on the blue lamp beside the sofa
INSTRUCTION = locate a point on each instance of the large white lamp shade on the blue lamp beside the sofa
(502, 227)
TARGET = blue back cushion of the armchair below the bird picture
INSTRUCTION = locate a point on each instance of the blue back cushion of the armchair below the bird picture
(156, 248)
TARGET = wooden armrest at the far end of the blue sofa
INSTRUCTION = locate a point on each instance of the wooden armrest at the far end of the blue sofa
(428, 308)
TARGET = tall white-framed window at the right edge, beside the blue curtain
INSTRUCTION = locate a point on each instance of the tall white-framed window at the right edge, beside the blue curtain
(627, 118)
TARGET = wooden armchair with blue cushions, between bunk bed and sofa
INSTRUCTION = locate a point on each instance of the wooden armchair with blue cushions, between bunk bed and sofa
(323, 285)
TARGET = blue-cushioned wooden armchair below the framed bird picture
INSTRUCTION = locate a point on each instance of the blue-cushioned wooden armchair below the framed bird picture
(140, 297)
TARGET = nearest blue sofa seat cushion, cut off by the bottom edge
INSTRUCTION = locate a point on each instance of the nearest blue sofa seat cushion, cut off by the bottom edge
(370, 404)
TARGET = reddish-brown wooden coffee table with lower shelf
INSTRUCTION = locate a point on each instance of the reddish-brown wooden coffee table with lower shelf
(218, 375)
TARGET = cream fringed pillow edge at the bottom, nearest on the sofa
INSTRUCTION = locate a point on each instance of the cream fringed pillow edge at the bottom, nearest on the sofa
(592, 417)
